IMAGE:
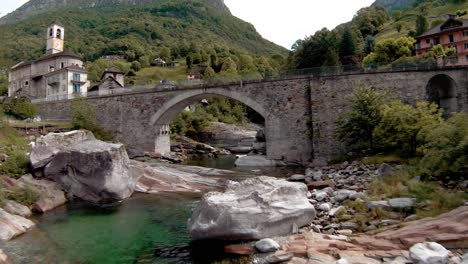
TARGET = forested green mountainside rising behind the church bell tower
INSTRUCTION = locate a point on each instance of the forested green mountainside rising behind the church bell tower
(121, 28)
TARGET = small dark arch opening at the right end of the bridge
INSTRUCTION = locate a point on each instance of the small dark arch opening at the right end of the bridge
(442, 89)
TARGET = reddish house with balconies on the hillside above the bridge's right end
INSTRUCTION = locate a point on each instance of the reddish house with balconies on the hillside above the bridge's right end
(451, 33)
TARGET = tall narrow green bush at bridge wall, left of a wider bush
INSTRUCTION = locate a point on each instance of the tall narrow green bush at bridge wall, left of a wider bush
(356, 128)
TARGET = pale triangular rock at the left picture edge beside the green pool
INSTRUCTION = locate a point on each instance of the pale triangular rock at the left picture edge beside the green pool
(13, 225)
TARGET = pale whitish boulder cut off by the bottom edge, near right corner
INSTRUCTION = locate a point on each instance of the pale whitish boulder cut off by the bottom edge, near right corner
(429, 253)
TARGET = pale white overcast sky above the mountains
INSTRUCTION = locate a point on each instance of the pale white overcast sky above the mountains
(282, 22)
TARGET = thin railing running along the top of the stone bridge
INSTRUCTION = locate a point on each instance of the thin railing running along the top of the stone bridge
(296, 73)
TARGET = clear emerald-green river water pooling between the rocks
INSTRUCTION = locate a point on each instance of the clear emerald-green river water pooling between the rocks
(143, 229)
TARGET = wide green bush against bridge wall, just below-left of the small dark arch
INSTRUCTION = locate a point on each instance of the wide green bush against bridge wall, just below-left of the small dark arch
(404, 127)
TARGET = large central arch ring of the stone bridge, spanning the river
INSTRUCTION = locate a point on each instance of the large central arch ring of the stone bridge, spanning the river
(167, 112)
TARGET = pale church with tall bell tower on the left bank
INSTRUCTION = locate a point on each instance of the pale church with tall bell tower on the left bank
(58, 75)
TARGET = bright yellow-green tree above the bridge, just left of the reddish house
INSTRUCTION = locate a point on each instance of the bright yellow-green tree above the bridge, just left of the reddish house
(389, 50)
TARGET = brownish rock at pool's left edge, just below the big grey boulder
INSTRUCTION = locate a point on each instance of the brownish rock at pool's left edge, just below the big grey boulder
(50, 193)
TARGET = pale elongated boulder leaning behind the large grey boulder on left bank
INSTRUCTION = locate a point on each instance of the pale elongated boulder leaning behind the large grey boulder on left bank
(46, 147)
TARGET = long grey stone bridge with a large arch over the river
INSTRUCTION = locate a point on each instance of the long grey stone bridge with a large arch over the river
(300, 112)
